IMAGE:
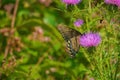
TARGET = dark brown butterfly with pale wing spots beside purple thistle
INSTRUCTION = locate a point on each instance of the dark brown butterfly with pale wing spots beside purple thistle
(71, 36)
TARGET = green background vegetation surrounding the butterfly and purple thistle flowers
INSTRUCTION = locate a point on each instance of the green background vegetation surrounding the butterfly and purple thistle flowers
(31, 48)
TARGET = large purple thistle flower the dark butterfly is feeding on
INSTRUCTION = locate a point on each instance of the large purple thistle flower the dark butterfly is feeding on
(90, 39)
